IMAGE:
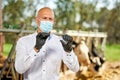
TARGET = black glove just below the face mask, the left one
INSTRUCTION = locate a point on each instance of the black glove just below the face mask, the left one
(40, 40)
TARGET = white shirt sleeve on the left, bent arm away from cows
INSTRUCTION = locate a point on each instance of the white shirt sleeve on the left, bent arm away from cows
(23, 59)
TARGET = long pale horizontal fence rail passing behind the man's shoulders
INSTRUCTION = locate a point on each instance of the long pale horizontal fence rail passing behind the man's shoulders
(70, 32)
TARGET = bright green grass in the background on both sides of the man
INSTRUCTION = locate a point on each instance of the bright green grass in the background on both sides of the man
(112, 52)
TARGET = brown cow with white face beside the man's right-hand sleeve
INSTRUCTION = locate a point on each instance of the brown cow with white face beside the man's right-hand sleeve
(82, 51)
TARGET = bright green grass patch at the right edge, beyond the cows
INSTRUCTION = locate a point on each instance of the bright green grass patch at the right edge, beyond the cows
(112, 52)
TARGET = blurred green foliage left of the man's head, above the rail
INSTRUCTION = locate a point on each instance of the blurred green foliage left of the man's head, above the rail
(16, 12)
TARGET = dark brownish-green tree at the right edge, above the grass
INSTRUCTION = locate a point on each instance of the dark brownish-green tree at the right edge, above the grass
(113, 26)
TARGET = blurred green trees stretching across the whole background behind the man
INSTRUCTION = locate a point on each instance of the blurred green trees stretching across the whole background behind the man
(67, 12)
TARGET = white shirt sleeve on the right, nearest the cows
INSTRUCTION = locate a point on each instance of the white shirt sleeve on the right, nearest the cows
(71, 60)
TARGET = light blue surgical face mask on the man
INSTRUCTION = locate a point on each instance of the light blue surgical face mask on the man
(46, 26)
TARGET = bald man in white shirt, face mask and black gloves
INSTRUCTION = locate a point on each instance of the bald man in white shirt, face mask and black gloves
(39, 55)
